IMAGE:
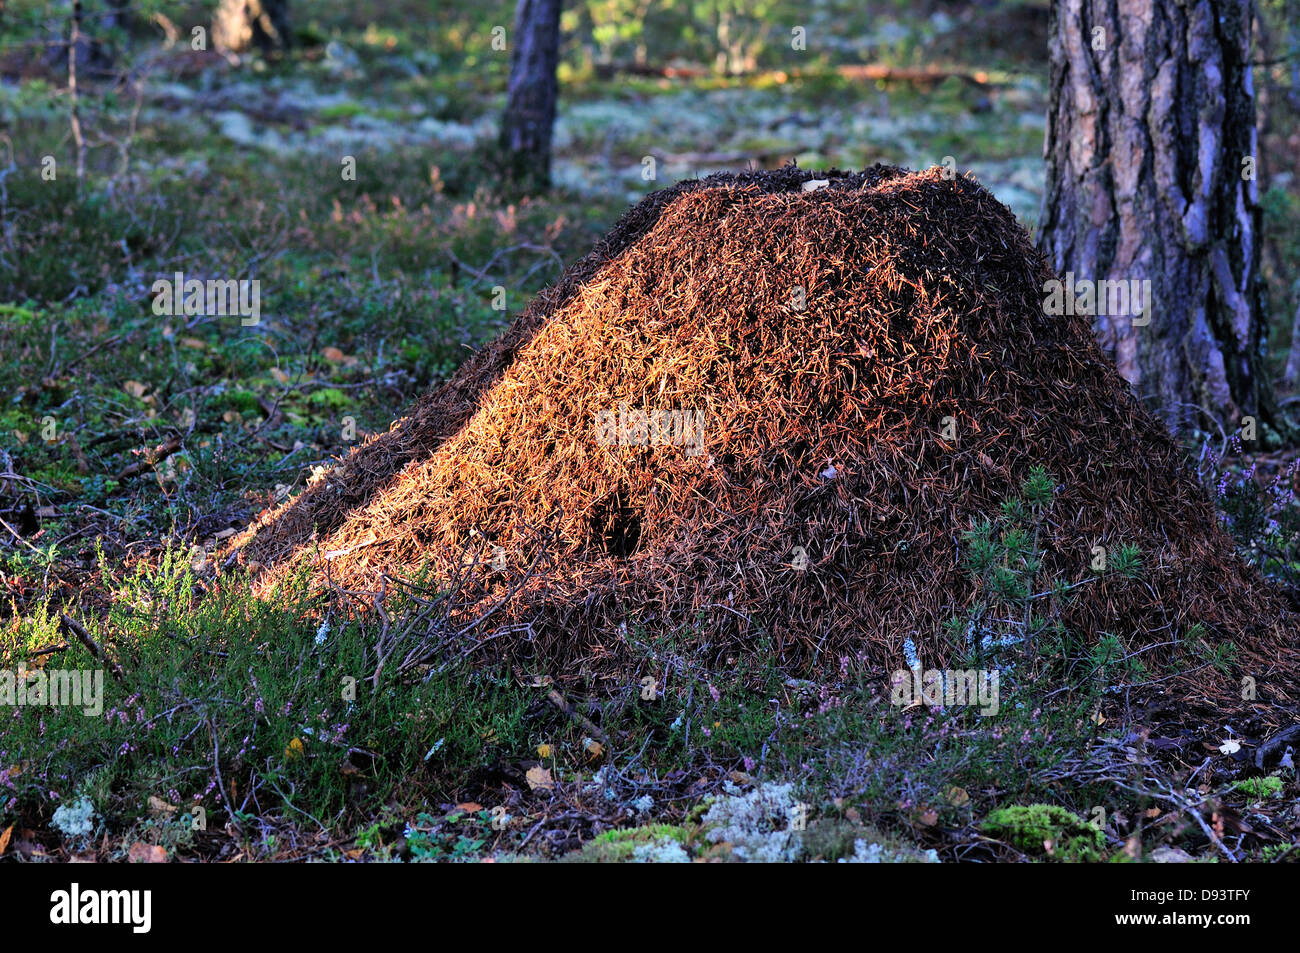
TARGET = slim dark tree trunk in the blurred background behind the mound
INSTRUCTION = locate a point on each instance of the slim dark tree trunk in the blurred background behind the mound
(526, 128)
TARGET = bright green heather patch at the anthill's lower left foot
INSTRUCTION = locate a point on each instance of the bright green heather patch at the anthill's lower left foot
(255, 694)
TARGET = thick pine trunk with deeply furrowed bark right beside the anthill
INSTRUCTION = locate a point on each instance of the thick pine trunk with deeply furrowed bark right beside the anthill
(1151, 150)
